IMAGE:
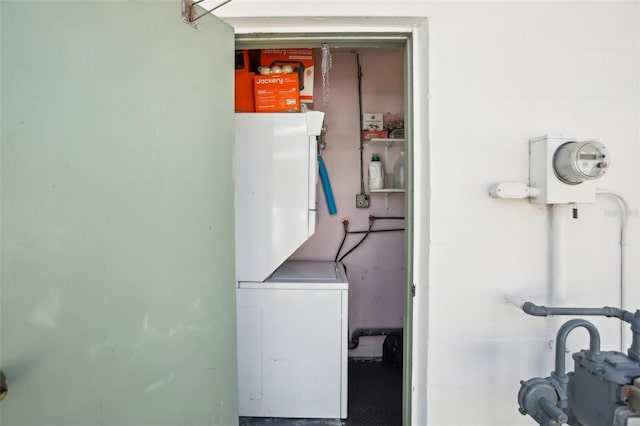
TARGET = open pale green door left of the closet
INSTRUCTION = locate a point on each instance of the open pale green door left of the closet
(117, 256)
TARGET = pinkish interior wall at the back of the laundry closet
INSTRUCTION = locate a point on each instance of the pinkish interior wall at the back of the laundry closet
(376, 267)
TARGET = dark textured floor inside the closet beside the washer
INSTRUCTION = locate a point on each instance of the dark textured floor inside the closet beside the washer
(375, 399)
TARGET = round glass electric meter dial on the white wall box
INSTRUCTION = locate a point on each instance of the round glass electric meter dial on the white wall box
(574, 162)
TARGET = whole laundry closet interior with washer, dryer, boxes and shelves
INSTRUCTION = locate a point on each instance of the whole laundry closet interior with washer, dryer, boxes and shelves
(327, 305)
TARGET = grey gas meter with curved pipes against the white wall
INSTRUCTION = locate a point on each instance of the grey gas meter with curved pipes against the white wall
(604, 387)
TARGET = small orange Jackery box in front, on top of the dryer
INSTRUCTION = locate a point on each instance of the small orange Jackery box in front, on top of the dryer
(277, 93)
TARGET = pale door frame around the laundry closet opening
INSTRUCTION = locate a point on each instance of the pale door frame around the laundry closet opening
(412, 34)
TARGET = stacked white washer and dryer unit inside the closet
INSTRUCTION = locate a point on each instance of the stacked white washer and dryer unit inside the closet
(292, 316)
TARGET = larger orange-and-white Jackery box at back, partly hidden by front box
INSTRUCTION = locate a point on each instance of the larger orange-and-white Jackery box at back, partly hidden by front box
(302, 61)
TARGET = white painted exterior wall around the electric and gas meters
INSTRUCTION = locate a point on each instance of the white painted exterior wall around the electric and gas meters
(499, 74)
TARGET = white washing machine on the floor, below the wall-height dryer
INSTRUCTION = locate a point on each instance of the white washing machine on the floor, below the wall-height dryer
(293, 342)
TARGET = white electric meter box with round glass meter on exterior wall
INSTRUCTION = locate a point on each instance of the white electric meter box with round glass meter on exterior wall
(563, 169)
